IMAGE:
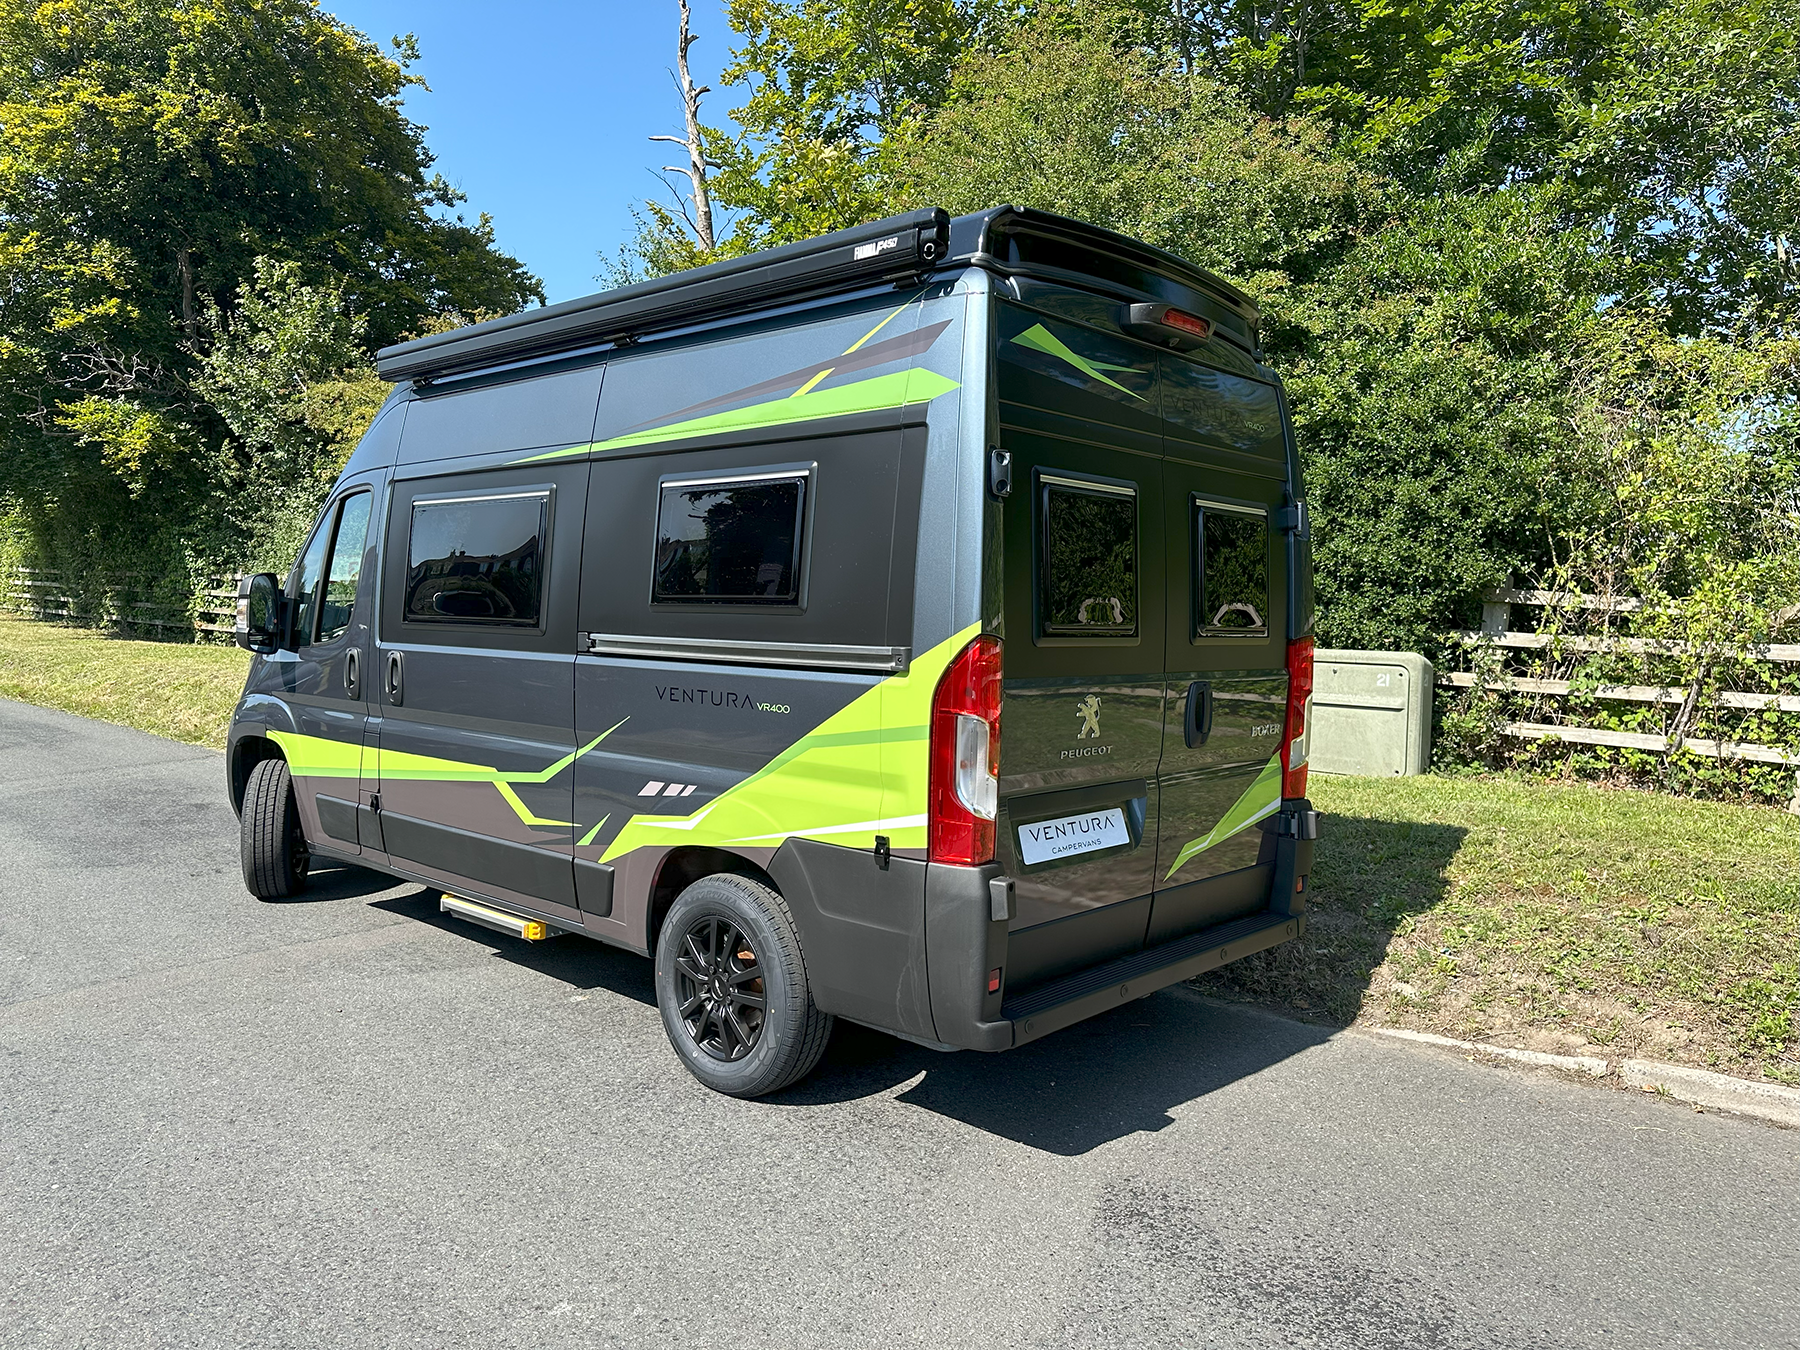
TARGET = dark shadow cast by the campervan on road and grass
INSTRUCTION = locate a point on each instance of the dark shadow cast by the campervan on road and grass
(1120, 1074)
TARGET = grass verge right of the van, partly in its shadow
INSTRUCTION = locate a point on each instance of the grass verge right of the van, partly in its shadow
(1549, 917)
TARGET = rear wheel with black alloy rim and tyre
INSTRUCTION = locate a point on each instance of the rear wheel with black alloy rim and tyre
(732, 985)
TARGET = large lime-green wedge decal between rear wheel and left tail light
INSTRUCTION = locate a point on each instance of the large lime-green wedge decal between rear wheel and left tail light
(863, 771)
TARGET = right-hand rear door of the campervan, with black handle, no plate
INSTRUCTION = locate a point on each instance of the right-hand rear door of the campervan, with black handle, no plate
(1225, 478)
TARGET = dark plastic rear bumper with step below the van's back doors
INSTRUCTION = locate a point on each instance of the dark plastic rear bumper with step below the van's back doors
(967, 942)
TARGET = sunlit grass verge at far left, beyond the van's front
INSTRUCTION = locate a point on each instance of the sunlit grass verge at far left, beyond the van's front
(177, 690)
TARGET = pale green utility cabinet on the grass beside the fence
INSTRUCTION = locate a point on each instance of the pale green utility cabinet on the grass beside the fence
(1371, 714)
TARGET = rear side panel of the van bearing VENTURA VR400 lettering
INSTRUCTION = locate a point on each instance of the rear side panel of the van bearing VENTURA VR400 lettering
(737, 735)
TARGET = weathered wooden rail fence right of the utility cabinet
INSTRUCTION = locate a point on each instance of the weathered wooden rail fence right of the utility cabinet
(1497, 631)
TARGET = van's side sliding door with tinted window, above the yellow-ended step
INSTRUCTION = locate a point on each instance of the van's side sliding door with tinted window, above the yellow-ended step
(476, 676)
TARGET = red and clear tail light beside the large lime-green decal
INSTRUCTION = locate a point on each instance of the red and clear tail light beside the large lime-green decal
(966, 757)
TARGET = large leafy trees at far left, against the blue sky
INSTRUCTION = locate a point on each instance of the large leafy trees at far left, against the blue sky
(183, 181)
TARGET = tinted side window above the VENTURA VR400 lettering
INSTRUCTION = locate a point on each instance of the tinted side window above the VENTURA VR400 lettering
(733, 543)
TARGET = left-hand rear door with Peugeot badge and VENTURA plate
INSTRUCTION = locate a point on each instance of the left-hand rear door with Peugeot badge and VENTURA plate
(1083, 723)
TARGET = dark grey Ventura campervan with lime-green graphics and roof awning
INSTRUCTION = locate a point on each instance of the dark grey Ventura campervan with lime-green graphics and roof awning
(690, 618)
